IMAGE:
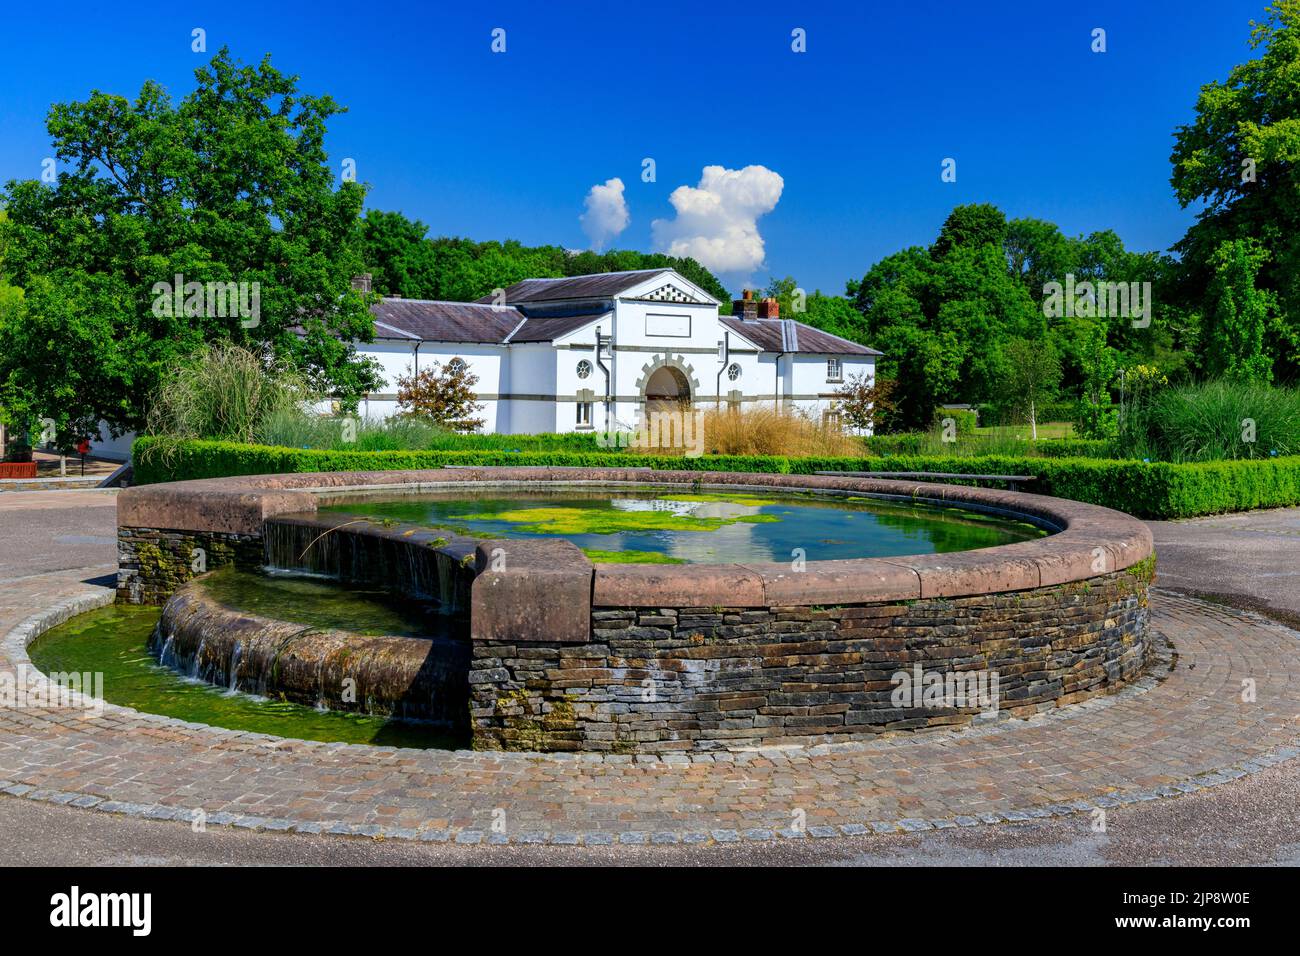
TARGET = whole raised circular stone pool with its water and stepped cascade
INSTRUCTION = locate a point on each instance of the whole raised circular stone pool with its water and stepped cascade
(629, 611)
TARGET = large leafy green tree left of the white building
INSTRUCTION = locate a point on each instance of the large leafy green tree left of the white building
(229, 185)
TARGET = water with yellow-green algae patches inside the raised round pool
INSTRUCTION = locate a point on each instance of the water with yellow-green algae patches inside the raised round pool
(653, 526)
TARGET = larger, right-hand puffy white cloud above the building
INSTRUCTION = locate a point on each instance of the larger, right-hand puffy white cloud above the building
(717, 222)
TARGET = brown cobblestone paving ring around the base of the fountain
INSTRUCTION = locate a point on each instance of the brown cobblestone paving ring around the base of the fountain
(1188, 732)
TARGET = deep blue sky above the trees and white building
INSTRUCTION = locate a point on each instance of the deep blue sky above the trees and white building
(500, 146)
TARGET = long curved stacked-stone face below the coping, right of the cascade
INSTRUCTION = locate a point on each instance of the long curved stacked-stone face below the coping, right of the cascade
(669, 680)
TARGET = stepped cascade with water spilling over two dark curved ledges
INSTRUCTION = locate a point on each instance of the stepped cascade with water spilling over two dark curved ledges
(411, 663)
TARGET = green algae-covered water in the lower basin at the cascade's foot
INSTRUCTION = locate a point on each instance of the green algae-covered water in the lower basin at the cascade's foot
(112, 642)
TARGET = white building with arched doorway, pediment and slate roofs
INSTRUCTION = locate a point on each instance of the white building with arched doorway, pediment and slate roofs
(595, 352)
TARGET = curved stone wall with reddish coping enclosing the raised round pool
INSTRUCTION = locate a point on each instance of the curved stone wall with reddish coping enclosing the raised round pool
(574, 656)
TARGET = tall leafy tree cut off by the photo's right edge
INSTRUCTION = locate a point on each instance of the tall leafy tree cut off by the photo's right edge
(1241, 158)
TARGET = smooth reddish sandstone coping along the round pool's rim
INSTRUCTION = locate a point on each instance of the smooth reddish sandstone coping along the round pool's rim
(1091, 540)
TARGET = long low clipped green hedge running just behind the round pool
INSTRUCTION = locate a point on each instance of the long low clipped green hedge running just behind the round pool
(1156, 490)
